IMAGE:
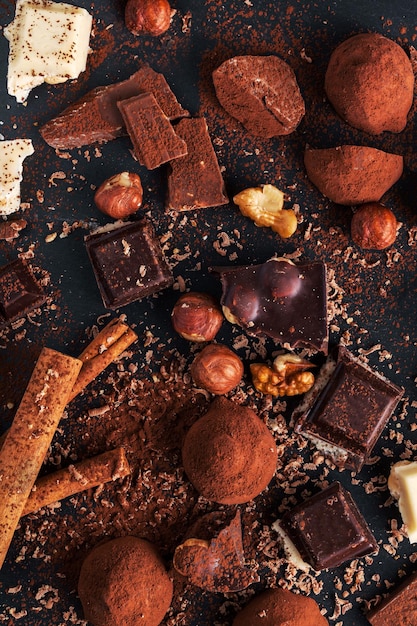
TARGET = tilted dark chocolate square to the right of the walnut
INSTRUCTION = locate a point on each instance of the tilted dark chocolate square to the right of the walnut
(346, 410)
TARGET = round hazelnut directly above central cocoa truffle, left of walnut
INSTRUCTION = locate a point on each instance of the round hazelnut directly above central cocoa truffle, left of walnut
(217, 369)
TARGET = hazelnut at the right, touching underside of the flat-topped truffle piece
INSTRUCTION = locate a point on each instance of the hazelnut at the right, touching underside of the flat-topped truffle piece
(374, 226)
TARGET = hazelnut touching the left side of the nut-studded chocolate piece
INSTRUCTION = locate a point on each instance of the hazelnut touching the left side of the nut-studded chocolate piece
(197, 317)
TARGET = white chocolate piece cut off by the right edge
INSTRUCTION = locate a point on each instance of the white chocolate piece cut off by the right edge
(402, 483)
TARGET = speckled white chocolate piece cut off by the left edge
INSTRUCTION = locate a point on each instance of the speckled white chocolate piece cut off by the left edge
(12, 155)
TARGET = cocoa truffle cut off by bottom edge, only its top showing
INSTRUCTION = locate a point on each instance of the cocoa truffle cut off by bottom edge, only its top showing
(278, 607)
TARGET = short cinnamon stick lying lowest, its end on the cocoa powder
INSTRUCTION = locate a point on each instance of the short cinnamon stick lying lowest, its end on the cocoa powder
(84, 475)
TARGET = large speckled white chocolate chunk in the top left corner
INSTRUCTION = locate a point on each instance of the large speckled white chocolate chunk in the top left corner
(48, 42)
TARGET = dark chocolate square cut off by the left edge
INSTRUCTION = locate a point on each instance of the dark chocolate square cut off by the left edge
(20, 293)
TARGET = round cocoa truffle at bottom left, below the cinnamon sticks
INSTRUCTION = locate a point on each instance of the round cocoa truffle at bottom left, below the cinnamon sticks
(124, 581)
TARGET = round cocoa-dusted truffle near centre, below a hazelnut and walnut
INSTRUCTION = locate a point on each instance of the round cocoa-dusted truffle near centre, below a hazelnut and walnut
(229, 454)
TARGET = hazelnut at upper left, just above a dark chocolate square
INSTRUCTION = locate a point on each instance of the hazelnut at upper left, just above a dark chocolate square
(119, 196)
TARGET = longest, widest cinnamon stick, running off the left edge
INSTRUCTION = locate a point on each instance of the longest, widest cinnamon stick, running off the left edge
(30, 435)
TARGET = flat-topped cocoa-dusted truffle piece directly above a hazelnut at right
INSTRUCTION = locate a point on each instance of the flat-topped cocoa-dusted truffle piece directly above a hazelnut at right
(352, 174)
